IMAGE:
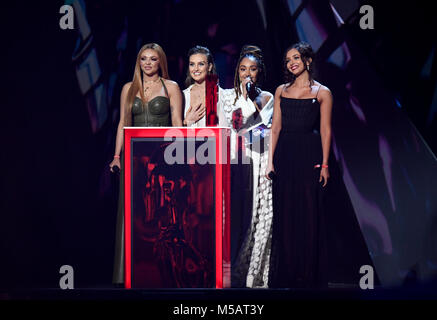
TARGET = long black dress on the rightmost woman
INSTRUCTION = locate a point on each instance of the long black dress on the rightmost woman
(299, 237)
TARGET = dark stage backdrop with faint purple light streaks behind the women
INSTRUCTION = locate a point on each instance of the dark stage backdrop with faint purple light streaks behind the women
(60, 100)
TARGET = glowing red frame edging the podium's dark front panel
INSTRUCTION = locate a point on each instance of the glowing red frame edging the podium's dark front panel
(222, 195)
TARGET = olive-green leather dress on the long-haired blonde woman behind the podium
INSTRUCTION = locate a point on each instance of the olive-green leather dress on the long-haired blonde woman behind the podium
(155, 113)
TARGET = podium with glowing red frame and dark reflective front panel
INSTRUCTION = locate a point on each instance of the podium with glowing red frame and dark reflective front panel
(177, 200)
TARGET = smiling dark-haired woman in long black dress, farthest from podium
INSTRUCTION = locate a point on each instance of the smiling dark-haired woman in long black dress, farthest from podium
(300, 142)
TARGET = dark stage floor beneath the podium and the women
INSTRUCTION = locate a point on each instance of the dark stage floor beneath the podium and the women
(418, 292)
